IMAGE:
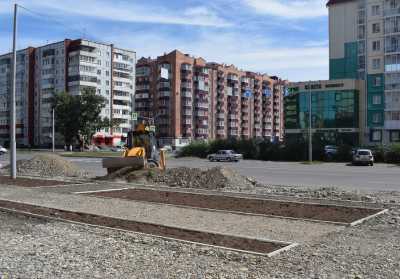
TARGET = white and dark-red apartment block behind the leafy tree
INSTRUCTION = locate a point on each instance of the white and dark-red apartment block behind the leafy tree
(72, 66)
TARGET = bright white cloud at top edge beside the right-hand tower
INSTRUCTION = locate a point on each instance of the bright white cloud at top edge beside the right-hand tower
(290, 9)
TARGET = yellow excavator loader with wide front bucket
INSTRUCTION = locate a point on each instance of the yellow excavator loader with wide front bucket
(141, 152)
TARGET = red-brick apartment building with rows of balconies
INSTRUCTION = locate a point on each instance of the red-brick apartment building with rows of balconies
(189, 98)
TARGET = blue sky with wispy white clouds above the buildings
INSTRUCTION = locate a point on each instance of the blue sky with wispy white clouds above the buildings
(288, 38)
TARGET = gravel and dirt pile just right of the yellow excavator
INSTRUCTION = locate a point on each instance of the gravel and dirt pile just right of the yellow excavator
(213, 178)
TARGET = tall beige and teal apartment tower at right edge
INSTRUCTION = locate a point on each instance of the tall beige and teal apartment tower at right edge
(365, 44)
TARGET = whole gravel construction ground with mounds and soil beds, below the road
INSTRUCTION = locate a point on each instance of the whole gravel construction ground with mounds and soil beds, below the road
(59, 222)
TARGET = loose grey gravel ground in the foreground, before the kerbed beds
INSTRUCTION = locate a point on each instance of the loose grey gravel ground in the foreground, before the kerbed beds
(34, 248)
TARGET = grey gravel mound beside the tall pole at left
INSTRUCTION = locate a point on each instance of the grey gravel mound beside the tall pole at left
(48, 165)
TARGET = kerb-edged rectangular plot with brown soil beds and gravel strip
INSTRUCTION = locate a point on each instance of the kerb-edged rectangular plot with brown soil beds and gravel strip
(262, 226)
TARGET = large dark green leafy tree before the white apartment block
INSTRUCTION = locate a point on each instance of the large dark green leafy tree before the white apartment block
(79, 116)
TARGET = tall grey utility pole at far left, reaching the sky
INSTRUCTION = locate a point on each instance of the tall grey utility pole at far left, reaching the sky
(13, 146)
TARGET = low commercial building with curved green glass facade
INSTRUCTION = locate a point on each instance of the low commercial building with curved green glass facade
(337, 109)
